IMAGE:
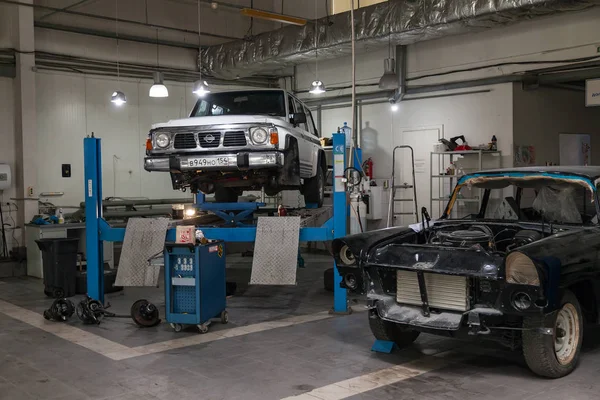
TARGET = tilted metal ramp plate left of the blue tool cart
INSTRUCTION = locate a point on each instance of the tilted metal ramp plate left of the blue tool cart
(144, 238)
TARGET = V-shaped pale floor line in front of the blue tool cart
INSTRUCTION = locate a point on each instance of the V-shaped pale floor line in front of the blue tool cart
(117, 351)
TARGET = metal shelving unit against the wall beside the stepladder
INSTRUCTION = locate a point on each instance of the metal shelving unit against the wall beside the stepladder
(446, 183)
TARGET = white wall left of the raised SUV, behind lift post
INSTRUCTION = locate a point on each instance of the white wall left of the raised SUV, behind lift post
(71, 106)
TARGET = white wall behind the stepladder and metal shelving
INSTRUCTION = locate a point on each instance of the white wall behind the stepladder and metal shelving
(478, 116)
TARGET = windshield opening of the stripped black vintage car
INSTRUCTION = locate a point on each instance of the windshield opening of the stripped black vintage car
(531, 200)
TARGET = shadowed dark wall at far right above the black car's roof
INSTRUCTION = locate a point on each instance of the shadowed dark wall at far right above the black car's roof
(540, 115)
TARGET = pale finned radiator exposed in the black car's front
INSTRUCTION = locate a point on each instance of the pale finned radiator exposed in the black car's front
(446, 292)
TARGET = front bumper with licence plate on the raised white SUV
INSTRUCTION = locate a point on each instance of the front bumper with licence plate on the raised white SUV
(215, 162)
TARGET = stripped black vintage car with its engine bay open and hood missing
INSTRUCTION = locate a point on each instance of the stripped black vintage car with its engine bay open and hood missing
(526, 280)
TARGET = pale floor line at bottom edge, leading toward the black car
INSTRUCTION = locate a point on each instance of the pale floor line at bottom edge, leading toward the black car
(384, 377)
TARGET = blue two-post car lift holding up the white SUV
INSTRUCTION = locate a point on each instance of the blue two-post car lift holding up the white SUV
(99, 231)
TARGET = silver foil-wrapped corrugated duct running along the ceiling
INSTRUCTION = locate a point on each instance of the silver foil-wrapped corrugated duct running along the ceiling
(408, 21)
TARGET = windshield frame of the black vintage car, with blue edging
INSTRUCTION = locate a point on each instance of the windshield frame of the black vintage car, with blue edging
(520, 181)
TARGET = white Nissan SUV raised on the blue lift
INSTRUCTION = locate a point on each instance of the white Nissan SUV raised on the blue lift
(241, 140)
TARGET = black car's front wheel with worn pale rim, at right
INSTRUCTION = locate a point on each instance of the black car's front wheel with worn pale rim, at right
(555, 356)
